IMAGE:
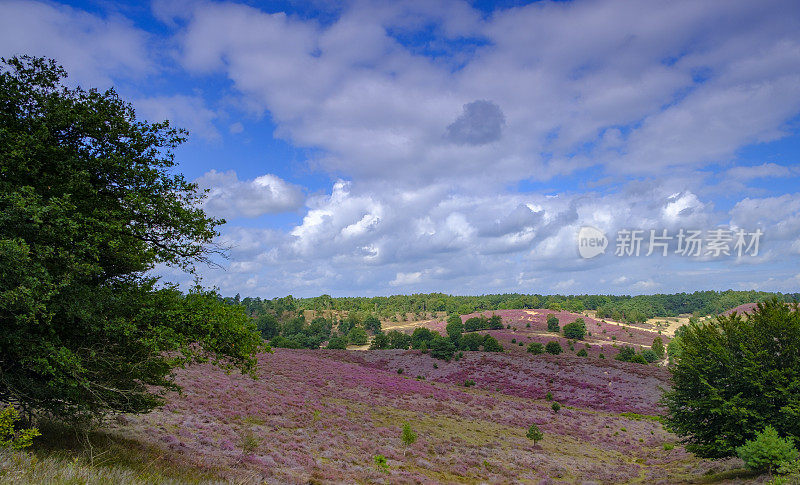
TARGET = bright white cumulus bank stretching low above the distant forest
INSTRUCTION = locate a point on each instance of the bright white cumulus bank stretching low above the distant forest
(412, 240)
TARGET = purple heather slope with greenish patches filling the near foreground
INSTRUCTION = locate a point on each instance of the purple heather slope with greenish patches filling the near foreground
(321, 416)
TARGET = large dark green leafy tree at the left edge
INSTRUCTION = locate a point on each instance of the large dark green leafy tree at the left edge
(89, 203)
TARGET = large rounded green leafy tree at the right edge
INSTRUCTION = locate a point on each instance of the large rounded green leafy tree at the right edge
(737, 375)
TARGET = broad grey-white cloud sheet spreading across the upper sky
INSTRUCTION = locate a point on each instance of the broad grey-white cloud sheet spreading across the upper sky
(689, 86)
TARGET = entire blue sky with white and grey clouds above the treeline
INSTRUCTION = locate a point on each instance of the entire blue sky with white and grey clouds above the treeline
(377, 147)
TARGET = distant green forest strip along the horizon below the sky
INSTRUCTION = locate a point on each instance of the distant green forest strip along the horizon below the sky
(630, 309)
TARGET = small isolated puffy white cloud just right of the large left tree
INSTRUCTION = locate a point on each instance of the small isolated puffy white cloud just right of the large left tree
(230, 197)
